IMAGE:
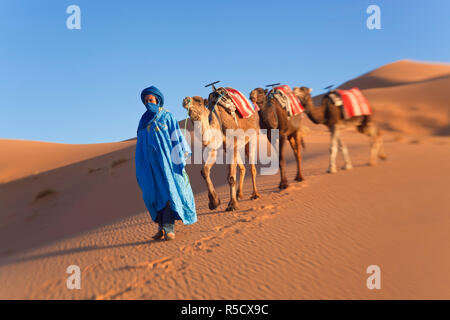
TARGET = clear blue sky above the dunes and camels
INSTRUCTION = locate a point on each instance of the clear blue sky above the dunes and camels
(83, 86)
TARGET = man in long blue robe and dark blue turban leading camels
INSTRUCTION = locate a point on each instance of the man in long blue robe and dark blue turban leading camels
(161, 153)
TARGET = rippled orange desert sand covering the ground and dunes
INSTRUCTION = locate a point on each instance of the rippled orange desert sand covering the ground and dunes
(63, 205)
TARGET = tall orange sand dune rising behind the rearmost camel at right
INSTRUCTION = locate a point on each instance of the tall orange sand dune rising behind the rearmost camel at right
(407, 97)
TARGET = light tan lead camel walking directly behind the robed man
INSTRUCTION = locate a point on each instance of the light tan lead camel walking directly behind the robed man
(221, 120)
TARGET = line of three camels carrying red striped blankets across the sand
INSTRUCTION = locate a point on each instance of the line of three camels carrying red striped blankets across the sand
(279, 108)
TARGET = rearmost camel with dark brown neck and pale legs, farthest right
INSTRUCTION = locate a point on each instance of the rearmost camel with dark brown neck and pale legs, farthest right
(331, 116)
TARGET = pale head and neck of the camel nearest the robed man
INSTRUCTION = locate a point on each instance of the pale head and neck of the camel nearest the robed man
(199, 115)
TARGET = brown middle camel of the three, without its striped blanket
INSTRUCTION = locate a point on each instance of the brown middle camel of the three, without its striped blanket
(274, 116)
